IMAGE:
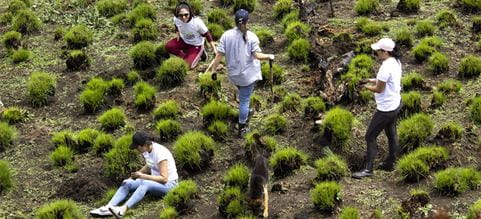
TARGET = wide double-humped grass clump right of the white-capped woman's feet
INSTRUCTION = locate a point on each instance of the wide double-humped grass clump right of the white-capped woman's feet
(416, 165)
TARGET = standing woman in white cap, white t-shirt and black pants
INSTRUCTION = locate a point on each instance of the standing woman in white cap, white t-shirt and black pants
(387, 90)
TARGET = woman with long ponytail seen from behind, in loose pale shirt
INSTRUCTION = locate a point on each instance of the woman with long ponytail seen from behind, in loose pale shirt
(242, 53)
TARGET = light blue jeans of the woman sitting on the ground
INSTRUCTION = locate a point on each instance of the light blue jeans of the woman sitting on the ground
(140, 187)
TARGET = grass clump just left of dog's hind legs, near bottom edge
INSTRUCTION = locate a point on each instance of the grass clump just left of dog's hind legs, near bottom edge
(230, 202)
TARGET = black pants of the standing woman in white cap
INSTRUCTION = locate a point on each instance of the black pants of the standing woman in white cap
(382, 121)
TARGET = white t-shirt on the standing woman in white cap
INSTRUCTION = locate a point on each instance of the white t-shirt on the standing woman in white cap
(389, 72)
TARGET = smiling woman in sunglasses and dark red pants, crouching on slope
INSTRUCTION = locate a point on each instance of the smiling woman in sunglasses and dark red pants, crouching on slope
(191, 30)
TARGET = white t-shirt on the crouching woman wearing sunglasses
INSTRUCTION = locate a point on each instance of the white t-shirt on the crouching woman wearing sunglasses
(192, 31)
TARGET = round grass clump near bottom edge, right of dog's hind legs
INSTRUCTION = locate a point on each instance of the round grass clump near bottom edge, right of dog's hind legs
(326, 195)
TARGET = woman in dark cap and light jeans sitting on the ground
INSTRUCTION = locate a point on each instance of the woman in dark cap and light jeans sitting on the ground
(157, 177)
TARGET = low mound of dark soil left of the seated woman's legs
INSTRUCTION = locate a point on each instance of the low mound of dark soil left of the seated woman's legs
(86, 186)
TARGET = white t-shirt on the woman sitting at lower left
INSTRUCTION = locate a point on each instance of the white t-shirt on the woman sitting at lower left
(160, 153)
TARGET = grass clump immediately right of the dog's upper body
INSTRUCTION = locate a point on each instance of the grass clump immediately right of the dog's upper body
(286, 160)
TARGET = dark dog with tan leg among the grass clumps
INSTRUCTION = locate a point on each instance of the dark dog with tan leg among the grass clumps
(258, 194)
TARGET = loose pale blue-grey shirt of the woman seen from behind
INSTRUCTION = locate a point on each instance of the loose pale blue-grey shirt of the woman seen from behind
(244, 69)
